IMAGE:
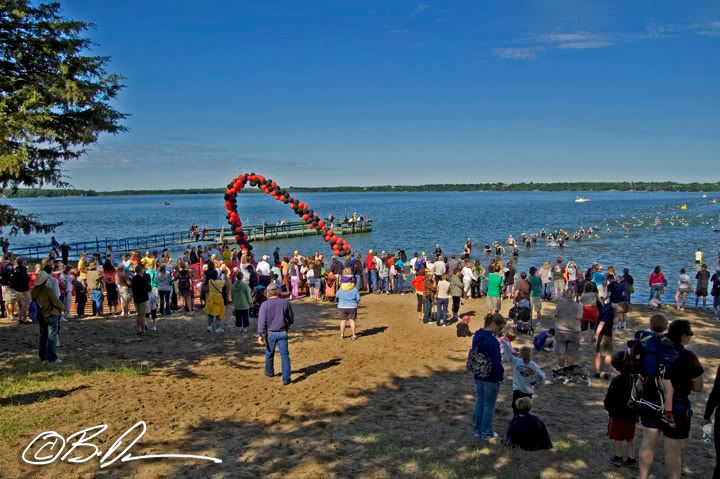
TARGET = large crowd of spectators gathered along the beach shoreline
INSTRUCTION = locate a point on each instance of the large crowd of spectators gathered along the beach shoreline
(590, 304)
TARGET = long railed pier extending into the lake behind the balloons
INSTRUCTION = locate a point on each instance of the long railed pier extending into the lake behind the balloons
(180, 238)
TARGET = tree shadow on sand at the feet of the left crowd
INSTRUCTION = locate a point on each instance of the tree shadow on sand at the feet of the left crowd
(176, 351)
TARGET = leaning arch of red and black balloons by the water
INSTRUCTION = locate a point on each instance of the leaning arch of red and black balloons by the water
(339, 246)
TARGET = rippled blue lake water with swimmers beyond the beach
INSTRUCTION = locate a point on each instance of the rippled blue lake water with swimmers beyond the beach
(656, 231)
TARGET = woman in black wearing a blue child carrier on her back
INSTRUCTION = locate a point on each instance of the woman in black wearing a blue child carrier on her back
(686, 376)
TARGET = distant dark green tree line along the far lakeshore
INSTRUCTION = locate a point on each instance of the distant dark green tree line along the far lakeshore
(525, 186)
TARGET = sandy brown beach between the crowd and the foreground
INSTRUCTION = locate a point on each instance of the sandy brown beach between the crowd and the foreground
(395, 403)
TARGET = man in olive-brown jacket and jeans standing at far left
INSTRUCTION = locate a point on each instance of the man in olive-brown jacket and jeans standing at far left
(48, 317)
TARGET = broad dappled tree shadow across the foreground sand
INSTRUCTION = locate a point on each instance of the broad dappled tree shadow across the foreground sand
(418, 426)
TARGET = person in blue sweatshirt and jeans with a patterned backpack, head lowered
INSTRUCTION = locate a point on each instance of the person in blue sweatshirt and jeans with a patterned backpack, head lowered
(486, 353)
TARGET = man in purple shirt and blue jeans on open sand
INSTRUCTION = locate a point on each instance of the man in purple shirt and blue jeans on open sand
(274, 319)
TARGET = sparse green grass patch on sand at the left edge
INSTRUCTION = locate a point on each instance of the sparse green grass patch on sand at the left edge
(25, 381)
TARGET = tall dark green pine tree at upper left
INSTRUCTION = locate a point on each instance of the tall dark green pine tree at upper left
(55, 101)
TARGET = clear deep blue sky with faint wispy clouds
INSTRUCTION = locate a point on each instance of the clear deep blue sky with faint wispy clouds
(377, 92)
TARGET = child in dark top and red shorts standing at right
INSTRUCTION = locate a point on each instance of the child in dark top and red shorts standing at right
(621, 425)
